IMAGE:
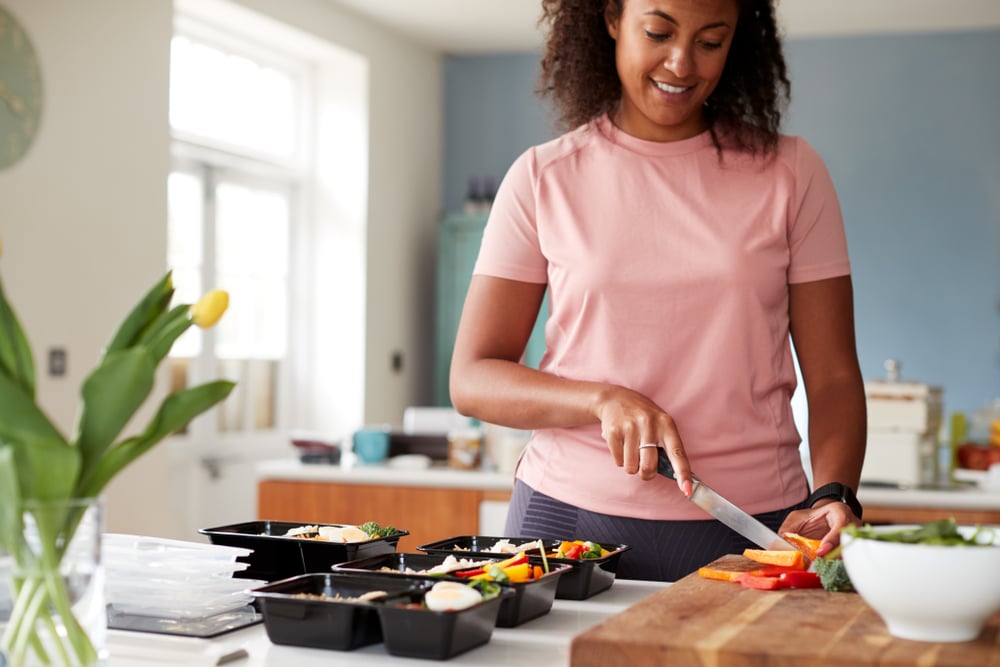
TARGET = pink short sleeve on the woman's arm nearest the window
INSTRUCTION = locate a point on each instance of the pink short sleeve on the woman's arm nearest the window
(510, 247)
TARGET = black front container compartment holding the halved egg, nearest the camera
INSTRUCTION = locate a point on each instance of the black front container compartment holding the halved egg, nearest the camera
(437, 635)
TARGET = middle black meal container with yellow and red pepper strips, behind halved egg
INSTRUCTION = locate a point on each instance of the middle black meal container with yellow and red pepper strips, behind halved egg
(531, 599)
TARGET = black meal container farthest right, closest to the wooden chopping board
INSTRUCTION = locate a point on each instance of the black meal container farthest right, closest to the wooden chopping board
(584, 579)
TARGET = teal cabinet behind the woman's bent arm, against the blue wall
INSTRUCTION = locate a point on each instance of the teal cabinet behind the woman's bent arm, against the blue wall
(459, 238)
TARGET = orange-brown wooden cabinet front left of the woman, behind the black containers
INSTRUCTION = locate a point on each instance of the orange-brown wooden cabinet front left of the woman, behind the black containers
(428, 513)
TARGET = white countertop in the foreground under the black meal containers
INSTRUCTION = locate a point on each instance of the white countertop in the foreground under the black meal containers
(541, 642)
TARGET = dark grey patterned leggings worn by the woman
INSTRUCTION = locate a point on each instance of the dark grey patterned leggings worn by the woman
(661, 550)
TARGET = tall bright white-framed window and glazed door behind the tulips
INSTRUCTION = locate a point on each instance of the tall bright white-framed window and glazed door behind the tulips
(268, 200)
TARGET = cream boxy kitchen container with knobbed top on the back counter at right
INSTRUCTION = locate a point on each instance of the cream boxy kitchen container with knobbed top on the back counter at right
(904, 418)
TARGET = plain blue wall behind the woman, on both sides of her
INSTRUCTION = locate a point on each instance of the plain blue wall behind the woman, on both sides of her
(909, 126)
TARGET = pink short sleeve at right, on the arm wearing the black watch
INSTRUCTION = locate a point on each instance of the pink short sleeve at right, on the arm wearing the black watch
(817, 241)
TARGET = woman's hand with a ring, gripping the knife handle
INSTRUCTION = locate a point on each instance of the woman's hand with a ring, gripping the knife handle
(630, 419)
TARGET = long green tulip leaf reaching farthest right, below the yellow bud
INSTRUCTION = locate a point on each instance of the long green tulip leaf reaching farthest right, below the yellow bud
(176, 410)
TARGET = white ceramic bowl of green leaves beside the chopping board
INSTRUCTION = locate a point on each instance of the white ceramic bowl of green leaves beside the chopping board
(925, 592)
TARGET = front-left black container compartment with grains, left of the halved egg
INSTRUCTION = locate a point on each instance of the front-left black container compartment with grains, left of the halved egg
(294, 620)
